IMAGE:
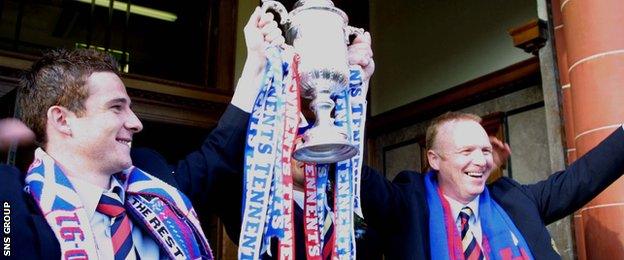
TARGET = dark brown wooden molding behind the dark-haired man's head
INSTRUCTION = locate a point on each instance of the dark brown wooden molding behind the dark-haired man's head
(153, 99)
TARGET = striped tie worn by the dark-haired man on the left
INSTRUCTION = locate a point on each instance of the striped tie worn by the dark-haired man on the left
(121, 235)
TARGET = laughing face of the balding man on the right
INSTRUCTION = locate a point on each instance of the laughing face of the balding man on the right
(462, 154)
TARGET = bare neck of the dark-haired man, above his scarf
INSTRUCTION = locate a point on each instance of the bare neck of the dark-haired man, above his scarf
(79, 167)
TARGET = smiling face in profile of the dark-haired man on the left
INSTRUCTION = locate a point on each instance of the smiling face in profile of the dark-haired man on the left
(104, 133)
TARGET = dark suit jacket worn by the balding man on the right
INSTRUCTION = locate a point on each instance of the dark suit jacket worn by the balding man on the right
(399, 210)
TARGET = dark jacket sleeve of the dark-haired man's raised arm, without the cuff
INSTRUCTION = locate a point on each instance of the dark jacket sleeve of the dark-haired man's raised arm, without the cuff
(212, 175)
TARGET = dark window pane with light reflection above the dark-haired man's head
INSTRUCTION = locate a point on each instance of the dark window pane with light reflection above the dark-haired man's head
(156, 38)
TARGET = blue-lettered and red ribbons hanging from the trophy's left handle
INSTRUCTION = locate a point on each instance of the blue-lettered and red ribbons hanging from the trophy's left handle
(267, 200)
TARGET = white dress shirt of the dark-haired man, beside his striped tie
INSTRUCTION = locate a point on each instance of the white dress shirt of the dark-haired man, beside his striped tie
(90, 195)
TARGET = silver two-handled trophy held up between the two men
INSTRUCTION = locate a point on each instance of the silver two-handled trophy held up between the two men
(319, 33)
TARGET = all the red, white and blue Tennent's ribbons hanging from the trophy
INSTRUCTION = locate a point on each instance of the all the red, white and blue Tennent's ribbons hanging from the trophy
(267, 199)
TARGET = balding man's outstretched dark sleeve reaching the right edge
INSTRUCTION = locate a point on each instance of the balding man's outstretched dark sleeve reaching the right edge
(566, 191)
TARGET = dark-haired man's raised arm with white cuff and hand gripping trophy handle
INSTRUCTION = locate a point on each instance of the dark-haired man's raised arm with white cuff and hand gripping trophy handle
(212, 175)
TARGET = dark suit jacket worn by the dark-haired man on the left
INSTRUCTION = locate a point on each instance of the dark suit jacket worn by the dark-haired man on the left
(214, 169)
